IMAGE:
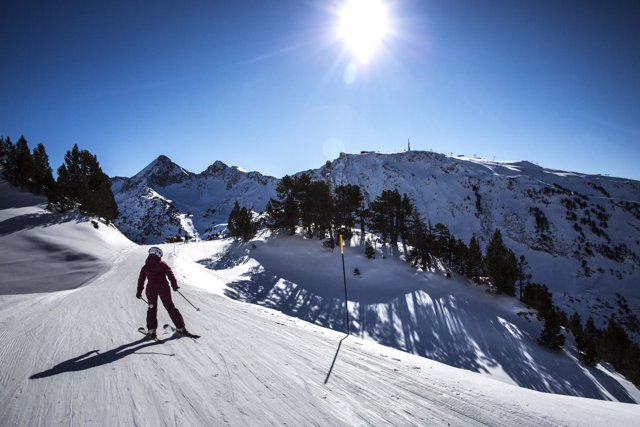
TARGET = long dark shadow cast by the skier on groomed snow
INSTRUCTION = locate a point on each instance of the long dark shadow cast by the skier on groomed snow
(95, 358)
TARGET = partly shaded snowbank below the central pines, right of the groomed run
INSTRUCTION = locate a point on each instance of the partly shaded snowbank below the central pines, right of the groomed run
(448, 320)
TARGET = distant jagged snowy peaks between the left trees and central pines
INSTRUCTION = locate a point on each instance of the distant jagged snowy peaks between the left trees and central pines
(165, 200)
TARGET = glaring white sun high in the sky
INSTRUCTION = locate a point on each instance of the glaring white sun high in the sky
(363, 25)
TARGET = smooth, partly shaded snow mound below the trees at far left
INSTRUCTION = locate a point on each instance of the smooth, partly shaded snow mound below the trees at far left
(36, 241)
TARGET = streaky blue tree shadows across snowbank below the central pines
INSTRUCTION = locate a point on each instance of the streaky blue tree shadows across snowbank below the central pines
(437, 323)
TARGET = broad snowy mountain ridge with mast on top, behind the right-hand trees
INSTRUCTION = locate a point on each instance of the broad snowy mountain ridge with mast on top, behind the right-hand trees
(579, 233)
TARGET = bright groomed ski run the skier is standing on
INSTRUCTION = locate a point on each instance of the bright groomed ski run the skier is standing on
(74, 357)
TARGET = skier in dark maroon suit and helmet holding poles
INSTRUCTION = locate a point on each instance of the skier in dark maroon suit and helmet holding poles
(156, 272)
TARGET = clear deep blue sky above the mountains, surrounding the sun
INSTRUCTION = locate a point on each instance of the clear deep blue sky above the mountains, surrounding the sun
(266, 85)
